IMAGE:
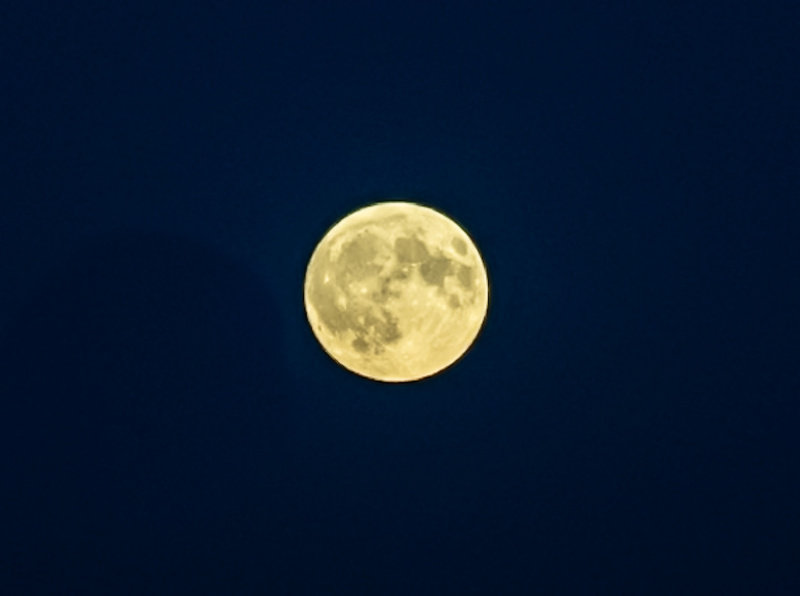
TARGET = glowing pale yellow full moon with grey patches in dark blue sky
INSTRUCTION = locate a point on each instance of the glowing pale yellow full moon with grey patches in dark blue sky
(396, 292)
